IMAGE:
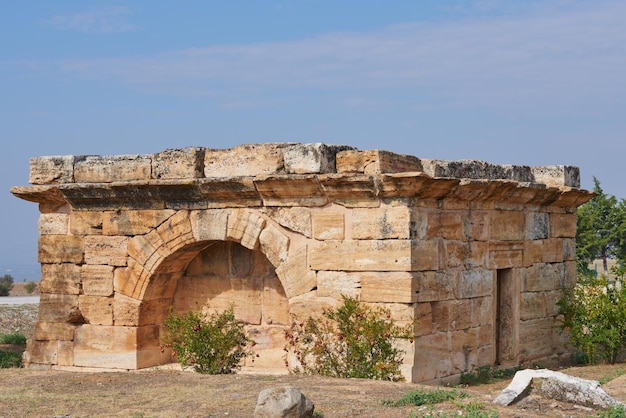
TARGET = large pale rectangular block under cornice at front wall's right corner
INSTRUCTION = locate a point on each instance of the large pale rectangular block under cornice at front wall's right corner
(380, 223)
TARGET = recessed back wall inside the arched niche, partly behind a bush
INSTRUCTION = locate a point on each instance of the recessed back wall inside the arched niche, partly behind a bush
(227, 273)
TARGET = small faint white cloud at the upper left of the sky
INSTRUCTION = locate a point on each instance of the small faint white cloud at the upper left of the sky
(108, 20)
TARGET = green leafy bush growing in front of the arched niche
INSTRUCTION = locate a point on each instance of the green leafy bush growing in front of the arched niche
(213, 344)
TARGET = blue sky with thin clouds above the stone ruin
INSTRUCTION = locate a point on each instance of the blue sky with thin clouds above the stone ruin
(522, 82)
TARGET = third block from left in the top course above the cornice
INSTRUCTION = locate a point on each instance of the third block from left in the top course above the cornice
(182, 163)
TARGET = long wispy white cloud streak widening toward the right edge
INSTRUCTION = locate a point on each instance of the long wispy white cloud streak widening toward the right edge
(566, 56)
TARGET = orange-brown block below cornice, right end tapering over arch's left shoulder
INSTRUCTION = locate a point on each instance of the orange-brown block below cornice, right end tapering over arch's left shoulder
(133, 222)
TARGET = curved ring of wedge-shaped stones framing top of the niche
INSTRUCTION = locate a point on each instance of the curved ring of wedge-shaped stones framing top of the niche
(186, 231)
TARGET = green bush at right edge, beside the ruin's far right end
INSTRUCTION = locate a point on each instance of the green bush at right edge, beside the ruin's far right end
(594, 312)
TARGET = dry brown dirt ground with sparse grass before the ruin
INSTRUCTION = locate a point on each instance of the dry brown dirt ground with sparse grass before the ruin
(169, 393)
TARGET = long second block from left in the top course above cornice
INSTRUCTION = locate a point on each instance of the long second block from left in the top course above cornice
(110, 169)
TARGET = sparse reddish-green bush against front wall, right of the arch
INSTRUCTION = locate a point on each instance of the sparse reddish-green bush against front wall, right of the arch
(351, 341)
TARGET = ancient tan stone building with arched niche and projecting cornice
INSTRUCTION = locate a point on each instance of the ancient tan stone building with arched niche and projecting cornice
(475, 254)
